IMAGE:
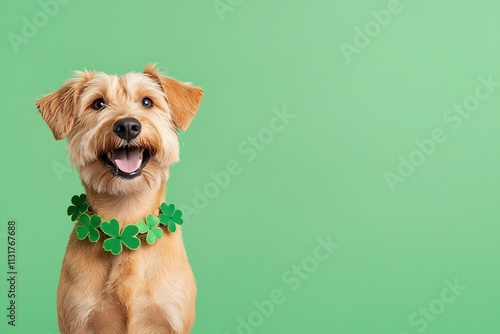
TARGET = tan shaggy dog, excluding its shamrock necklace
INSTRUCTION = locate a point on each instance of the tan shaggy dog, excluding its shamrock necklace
(122, 138)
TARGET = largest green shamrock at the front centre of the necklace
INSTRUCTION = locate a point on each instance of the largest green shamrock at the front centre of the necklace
(128, 236)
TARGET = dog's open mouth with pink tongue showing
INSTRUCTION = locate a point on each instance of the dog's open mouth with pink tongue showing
(127, 161)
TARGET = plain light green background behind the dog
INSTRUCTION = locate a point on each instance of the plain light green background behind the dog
(323, 175)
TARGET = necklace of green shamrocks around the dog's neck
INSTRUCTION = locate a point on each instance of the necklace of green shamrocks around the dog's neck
(92, 226)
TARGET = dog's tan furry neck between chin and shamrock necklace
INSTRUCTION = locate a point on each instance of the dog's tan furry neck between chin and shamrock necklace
(128, 209)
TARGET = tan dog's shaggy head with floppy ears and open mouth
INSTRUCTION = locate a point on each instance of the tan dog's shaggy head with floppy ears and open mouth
(122, 131)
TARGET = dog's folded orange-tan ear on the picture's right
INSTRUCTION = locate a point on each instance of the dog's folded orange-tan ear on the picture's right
(183, 98)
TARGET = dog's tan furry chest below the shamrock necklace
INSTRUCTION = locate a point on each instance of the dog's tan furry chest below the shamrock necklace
(149, 288)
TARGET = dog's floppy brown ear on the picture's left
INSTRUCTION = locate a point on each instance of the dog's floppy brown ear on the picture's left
(59, 108)
